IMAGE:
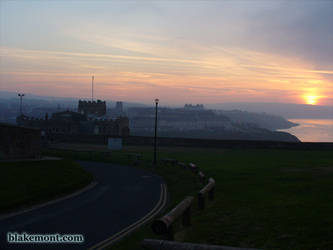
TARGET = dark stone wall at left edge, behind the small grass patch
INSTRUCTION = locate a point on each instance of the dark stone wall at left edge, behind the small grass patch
(19, 142)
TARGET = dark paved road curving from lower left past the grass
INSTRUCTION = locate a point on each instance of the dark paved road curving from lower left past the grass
(122, 196)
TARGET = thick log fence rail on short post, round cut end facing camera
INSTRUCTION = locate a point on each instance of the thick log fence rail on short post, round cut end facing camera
(163, 225)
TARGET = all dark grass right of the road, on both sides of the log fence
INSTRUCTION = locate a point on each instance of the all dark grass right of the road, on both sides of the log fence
(271, 199)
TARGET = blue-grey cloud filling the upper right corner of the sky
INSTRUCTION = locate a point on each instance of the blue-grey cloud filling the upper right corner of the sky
(296, 28)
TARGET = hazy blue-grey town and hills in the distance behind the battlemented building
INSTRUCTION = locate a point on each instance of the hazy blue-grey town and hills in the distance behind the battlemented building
(189, 121)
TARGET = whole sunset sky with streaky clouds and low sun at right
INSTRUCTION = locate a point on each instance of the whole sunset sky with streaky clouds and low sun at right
(177, 51)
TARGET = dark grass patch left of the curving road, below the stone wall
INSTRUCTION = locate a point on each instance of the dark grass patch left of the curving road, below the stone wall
(25, 183)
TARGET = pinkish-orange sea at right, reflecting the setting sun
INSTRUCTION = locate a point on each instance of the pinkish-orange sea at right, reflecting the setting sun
(312, 130)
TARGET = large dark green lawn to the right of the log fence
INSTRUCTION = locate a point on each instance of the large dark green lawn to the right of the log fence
(269, 199)
